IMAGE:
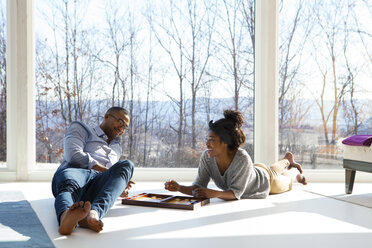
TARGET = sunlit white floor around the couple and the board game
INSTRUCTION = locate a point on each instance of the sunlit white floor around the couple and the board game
(294, 219)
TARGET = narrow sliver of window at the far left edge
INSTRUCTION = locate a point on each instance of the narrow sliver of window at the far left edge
(2, 84)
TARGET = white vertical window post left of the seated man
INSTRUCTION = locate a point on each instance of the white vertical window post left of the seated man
(20, 74)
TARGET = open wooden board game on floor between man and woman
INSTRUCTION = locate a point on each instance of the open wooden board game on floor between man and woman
(165, 201)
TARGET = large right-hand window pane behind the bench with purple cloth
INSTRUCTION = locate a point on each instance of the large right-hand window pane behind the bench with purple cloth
(325, 73)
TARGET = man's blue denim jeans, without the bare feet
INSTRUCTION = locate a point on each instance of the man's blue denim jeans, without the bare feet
(73, 184)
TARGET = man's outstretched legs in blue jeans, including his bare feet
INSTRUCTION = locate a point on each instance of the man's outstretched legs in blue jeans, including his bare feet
(84, 196)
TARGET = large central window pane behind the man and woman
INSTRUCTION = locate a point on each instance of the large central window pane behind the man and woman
(174, 65)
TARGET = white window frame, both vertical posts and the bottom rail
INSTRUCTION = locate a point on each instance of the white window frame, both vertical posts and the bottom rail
(21, 153)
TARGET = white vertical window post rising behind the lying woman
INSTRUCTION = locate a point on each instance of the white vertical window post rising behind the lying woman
(266, 81)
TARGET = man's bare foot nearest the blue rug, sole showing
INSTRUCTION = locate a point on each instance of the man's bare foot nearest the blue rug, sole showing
(71, 217)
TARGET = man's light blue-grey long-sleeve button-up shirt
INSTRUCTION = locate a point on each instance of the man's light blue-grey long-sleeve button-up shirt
(85, 147)
